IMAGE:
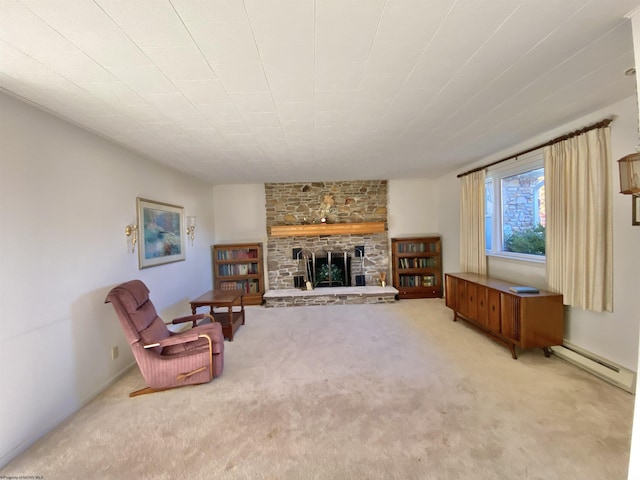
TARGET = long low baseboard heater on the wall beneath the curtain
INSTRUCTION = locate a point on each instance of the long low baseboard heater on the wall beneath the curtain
(606, 370)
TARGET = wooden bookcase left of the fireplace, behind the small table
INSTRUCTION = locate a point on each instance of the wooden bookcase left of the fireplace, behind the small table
(239, 266)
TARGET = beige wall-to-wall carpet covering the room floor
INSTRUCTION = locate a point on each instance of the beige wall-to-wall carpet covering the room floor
(352, 392)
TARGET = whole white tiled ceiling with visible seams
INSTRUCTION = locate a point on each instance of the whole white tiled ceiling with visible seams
(268, 90)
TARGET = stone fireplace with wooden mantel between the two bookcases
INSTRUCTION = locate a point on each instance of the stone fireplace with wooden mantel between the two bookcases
(343, 258)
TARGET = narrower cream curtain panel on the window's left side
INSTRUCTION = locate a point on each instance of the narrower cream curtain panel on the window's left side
(473, 256)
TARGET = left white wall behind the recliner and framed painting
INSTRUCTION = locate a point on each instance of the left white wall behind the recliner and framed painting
(65, 198)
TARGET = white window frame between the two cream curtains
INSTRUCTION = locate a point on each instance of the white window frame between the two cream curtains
(522, 164)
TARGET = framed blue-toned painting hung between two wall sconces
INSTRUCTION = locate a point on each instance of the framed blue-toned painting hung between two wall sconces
(162, 233)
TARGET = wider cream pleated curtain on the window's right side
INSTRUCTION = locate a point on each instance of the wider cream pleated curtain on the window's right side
(579, 220)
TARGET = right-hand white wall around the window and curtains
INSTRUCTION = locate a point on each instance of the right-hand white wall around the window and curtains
(613, 336)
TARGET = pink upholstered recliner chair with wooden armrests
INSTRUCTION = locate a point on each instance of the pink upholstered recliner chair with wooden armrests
(166, 359)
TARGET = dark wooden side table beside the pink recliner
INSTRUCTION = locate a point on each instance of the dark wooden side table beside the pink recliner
(231, 300)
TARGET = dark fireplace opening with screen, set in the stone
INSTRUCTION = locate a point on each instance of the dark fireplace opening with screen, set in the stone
(326, 269)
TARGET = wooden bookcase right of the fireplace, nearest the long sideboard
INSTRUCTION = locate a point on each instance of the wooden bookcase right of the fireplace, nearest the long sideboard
(417, 266)
